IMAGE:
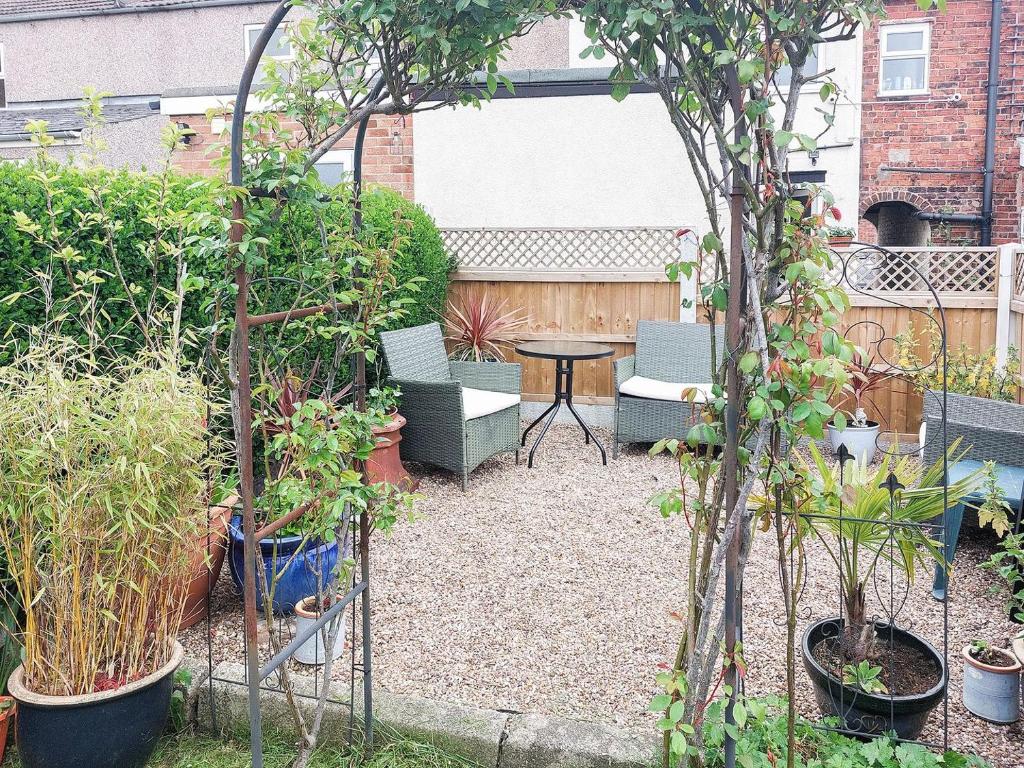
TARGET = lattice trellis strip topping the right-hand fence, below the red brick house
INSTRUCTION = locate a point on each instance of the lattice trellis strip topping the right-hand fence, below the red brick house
(946, 270)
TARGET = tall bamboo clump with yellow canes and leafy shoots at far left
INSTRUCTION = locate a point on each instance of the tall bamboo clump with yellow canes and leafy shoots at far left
(106, 458)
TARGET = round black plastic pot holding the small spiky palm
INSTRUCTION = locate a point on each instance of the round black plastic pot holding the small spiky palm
(863, 714)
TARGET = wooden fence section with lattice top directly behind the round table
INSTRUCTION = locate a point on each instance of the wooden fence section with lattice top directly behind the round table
(585, 285)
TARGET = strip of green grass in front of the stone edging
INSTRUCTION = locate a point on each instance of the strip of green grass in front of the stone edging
(191, 751)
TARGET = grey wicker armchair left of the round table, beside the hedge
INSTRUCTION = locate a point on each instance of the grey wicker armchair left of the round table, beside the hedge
(437, 395)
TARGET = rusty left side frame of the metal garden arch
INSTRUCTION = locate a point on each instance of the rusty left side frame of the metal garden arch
(244, 322)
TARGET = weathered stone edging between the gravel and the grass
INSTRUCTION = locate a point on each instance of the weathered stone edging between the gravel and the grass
(490, 739)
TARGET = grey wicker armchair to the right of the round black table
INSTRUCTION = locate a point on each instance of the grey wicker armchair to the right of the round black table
(669, 354)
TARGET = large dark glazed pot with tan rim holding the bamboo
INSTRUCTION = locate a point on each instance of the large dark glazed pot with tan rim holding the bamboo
(110, 730)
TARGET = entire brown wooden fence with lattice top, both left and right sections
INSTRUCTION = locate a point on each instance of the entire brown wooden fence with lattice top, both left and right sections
(594, 285)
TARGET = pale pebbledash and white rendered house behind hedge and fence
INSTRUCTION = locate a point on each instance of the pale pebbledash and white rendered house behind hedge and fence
(562, 153)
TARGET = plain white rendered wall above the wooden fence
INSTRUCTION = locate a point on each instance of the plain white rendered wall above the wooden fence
(589, 161)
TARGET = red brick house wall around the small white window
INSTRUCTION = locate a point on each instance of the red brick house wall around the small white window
(935, 132)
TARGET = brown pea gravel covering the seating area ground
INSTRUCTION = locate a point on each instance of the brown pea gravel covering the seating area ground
(552, 590)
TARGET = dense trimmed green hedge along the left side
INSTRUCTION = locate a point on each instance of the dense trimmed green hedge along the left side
(423, 255)
